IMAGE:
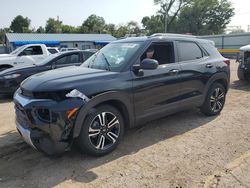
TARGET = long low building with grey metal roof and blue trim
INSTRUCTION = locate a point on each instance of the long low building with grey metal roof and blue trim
(81, 41)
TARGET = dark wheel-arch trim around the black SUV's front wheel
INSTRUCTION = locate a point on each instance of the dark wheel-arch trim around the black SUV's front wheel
(99, 99)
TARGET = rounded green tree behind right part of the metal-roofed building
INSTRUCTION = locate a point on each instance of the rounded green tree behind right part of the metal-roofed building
(93, 24)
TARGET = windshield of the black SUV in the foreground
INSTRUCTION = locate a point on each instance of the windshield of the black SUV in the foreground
(113, 56)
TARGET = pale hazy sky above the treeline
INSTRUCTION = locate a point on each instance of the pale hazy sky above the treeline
(74, 12)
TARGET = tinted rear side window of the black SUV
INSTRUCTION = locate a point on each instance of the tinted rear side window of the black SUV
(189, 51)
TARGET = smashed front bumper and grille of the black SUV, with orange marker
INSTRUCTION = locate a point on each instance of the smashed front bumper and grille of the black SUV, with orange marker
(46, 124)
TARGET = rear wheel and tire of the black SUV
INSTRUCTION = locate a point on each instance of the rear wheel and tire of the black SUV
(215, 100)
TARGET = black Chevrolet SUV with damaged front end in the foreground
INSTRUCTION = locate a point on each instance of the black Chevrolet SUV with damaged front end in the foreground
(127, 83)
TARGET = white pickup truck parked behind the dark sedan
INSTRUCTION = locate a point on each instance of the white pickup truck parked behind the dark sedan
(24, 55)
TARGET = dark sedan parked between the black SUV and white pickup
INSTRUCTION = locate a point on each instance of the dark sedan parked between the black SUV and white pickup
(10, 79)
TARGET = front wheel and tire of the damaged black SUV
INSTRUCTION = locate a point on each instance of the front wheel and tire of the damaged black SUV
(101, 131)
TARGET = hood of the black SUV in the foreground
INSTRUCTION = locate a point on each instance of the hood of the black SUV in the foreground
(65, 78)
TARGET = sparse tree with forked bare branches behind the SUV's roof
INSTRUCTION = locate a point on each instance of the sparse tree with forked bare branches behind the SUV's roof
(169, 10)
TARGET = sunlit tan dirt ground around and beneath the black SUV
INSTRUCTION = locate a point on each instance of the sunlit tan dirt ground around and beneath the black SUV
(187, 149)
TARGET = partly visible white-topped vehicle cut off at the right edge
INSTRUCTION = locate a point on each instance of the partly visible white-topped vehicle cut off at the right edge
(244, 63)
